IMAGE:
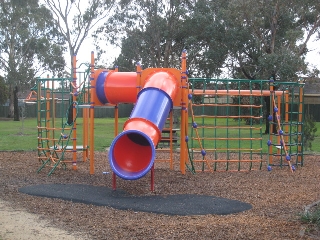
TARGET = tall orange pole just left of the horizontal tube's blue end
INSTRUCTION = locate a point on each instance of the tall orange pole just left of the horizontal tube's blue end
(92, 82)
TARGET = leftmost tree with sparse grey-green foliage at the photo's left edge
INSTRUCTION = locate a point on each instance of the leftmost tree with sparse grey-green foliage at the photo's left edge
(29, 43)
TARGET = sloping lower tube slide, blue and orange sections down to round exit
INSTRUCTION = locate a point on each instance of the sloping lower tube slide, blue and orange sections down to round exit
(132, 153)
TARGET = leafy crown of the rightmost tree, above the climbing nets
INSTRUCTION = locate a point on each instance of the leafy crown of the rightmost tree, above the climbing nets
(269, 38)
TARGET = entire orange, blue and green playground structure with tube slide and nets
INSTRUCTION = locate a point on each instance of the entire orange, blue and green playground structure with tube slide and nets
(207, 146)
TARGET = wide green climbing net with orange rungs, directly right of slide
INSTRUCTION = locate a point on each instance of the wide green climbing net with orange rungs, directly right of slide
(226, 131)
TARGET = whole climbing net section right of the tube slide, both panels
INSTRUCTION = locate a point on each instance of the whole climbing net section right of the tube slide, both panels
(227, 124)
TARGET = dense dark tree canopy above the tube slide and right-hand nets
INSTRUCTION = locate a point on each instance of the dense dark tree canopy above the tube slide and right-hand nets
(247, 39)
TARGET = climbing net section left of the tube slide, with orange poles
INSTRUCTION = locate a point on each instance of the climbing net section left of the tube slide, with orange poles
(58, 107)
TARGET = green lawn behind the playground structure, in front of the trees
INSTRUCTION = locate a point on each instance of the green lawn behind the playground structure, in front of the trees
(22, 135)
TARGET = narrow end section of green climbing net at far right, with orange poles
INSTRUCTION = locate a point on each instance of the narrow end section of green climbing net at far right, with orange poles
(286, 118)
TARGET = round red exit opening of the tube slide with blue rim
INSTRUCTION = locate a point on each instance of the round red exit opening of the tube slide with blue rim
(131, 155)
